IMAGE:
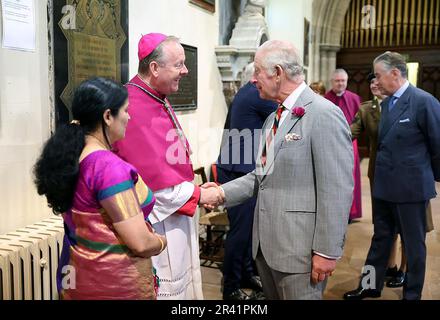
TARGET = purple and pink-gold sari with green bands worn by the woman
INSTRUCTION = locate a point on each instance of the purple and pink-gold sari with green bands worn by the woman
(104, 267)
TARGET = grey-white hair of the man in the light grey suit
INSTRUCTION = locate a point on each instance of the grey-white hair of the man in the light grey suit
(283, 54)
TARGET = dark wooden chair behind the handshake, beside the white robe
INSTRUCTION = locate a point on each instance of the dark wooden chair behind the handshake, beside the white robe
(214, 225)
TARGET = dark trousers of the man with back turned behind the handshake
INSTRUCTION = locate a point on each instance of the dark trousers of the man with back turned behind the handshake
(238, 265)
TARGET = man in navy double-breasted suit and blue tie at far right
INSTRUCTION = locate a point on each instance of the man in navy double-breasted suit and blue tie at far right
(407, 166)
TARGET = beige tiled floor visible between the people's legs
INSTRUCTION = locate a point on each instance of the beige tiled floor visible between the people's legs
(357, 244)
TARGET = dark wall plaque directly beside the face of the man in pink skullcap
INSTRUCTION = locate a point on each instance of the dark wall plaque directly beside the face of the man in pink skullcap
(186, 97)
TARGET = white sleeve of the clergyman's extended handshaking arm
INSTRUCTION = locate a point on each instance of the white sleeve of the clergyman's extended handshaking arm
(169, 200)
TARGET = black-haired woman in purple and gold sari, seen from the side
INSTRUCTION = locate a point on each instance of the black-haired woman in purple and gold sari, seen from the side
(105, 204)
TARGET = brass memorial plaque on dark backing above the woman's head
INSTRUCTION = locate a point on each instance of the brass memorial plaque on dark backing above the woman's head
(90, 39)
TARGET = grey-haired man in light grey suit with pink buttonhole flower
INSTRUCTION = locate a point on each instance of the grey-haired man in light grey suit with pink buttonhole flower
(303, 180)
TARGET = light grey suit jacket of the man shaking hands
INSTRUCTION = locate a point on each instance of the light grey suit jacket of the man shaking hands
(304, 193)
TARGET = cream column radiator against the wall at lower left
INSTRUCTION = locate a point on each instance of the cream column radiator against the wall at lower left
(29, 260)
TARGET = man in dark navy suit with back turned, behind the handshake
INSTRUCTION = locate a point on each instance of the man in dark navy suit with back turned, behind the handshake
(237, 158)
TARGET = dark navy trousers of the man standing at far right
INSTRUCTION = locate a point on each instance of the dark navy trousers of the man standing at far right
(409, 219)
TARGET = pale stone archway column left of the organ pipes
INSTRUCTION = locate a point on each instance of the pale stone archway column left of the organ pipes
(327, 25)
